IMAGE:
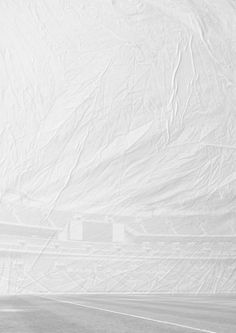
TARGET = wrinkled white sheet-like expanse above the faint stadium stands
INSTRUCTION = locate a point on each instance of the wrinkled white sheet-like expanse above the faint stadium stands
(119, 107)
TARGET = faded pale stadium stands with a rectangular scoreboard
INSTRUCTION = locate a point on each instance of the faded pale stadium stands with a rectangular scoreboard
(71, 253)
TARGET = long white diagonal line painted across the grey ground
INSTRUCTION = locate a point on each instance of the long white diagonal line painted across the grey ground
(169, 323)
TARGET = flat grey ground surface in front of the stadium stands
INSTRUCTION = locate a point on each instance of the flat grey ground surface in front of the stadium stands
(117, 314)
